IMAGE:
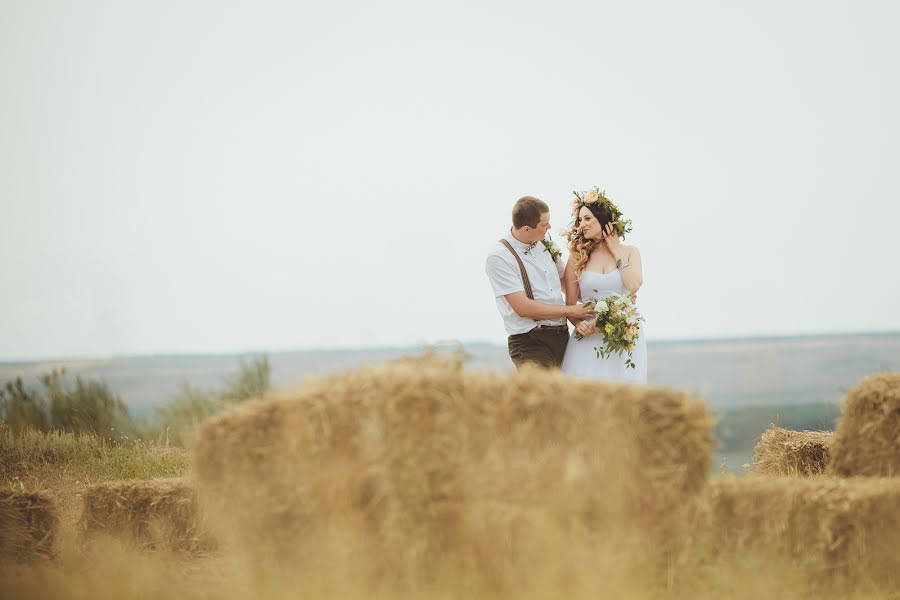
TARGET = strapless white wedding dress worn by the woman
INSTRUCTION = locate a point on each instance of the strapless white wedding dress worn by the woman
(581, 359)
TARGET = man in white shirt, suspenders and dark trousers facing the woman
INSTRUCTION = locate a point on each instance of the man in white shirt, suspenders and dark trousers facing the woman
(527, 283)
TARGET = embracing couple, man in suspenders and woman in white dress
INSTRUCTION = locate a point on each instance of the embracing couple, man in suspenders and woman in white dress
(594, 290)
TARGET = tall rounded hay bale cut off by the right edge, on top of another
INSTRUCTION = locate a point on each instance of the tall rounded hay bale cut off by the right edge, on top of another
(867, 436)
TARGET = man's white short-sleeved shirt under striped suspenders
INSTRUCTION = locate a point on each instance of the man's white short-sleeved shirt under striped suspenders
(543, 272)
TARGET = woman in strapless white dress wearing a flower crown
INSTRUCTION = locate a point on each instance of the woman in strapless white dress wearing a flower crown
(600, 265)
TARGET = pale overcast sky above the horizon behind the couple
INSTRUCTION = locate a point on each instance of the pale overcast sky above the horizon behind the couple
(245, 176)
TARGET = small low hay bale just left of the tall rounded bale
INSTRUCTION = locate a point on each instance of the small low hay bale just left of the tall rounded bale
(785, 452)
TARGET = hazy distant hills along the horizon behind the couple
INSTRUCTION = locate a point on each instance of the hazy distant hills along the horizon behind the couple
(727, 373)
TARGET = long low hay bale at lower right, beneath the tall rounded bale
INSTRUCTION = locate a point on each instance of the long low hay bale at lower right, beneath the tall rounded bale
(845, 528)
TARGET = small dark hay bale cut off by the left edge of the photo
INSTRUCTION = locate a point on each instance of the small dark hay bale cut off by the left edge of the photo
(28, 525)
